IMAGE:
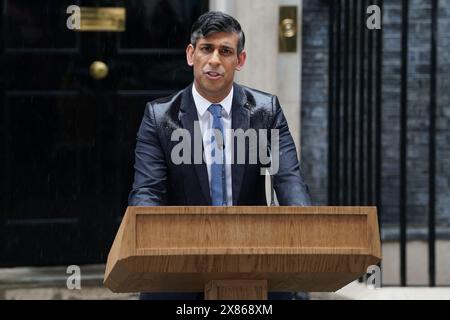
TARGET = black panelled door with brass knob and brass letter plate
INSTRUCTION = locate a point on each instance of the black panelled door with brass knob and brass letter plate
(67, 139)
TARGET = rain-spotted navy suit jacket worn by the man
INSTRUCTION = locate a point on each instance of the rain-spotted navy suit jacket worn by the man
(158, 181)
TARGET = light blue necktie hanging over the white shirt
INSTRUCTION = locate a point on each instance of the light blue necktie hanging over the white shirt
(218, 185)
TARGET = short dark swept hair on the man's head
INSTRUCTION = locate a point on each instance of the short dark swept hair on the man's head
(216, 21)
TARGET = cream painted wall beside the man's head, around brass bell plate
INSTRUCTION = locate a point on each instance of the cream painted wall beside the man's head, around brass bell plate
(266, 68)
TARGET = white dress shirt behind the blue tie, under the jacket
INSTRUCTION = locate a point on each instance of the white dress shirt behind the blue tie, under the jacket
(205, 121)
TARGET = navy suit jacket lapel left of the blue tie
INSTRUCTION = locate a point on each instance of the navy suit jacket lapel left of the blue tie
(189, 119)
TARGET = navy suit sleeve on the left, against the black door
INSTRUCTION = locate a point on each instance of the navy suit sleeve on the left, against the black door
(150, 168)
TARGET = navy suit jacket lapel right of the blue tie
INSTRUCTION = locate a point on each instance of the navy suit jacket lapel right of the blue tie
(240, 119)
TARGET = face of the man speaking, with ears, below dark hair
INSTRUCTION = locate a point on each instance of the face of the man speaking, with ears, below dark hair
(215, 60)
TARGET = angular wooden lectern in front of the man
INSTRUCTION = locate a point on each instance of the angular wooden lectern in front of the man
(242, 252)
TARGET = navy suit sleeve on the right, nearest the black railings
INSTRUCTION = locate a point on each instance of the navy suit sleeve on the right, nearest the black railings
(289, 184)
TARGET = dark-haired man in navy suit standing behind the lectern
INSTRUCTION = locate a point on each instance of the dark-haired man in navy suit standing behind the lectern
(210, 110)
